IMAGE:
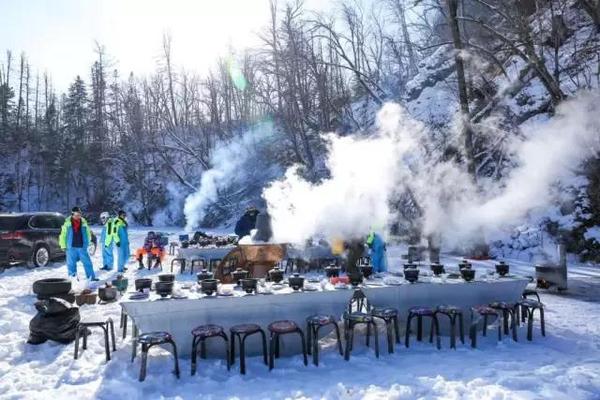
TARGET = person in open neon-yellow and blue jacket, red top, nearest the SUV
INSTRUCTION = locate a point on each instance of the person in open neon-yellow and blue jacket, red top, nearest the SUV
(74, 239)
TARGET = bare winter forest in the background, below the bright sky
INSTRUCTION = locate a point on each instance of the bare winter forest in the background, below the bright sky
(114, 140)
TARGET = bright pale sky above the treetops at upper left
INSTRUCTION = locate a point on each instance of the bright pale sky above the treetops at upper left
(59, 35)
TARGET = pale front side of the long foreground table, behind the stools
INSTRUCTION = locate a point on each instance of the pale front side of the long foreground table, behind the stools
(180, 316)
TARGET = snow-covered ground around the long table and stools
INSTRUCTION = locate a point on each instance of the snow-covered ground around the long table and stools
(564, 365)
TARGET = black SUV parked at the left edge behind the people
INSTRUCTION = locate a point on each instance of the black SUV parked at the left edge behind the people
(32, 238)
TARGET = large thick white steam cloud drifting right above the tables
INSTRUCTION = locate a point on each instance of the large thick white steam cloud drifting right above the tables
(366, 174)
